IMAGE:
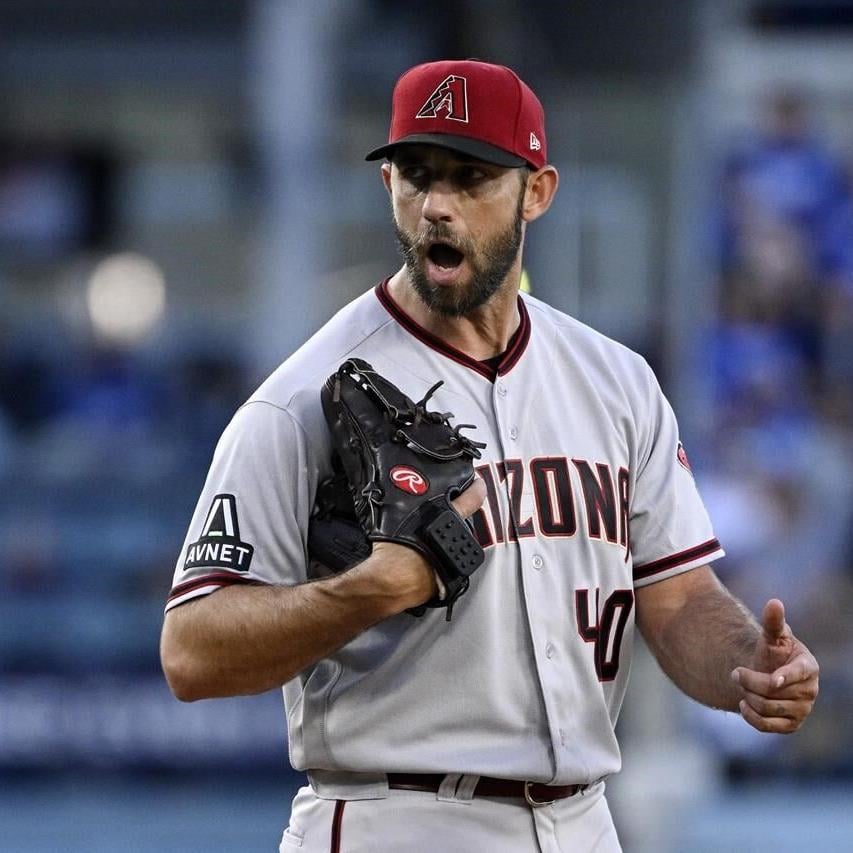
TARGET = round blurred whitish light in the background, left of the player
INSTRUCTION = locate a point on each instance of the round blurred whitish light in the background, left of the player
(126, 298)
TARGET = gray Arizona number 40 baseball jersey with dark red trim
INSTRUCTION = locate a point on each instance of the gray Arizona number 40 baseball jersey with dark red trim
(589, 496)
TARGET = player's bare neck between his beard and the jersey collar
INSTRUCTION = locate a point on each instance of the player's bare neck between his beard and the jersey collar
(482, 334)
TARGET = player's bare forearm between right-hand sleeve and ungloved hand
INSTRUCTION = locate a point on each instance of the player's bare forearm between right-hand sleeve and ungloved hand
(700, 638)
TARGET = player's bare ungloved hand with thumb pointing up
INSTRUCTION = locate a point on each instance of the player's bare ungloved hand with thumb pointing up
(780, 689)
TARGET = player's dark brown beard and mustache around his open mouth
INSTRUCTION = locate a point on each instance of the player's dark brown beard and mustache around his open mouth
(488, 270)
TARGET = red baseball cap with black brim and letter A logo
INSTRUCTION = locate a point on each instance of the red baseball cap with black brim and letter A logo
(479, 109)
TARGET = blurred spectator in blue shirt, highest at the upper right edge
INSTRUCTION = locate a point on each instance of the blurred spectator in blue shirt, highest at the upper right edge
(785, 244)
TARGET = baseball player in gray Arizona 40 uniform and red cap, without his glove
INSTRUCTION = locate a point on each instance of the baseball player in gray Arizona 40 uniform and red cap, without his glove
(493, 731)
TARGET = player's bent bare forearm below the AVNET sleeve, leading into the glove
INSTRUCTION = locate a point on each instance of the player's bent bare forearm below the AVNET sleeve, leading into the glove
(248, 639)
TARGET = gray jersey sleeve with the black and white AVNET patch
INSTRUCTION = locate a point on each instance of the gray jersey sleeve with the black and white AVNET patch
(250, 523)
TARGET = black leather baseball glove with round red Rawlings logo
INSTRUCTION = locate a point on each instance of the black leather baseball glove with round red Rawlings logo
(396, 468)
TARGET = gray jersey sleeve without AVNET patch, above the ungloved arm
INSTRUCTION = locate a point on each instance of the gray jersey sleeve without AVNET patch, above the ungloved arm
(670, 530)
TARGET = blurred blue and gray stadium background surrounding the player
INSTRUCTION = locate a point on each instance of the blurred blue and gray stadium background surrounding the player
(183, 200)
